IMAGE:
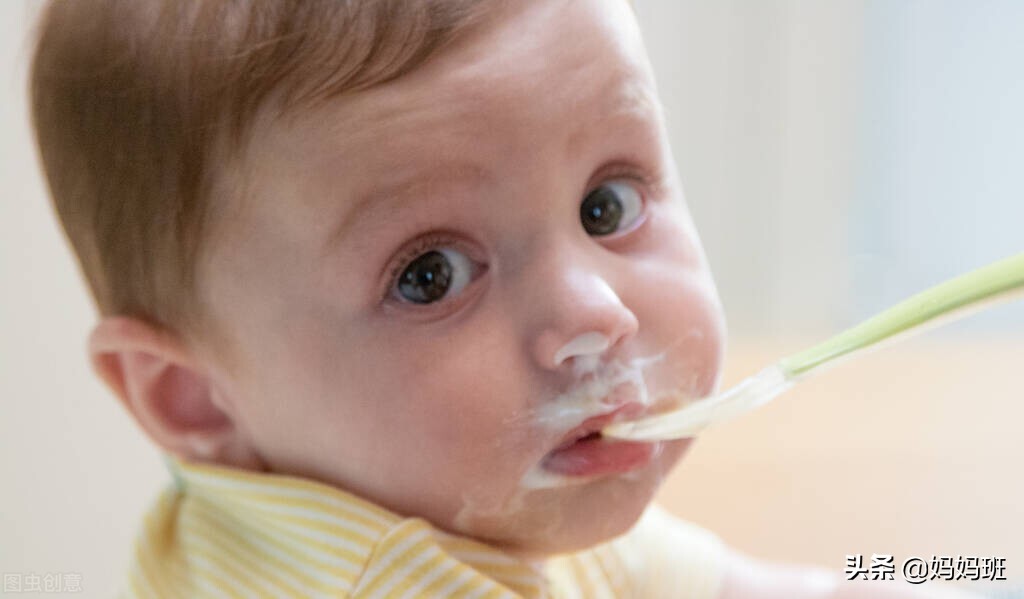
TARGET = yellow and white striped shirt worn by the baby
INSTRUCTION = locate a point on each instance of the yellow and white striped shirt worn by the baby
(225, 533)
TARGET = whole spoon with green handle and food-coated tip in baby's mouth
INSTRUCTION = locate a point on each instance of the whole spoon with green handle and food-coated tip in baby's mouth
(954, 299)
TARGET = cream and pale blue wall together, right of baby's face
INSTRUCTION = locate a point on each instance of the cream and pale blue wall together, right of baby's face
(841, 156)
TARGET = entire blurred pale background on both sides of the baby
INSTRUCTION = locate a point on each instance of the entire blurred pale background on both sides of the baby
(837, 157)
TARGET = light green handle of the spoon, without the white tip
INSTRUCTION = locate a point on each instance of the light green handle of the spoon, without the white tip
(994, 283)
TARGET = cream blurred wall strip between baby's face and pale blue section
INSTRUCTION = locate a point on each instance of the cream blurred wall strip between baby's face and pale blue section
(761, 105)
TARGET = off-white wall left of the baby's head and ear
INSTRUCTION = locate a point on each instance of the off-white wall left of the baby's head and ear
(75, 474)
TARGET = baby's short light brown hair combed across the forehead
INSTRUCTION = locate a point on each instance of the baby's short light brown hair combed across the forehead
(137, 103)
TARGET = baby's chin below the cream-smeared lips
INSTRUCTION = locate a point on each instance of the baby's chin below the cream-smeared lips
(543, 523)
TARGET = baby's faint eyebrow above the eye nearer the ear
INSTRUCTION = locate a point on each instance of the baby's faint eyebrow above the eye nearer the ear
(395, 197)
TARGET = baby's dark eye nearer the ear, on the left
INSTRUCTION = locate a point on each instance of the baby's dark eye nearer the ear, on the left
(434, 276)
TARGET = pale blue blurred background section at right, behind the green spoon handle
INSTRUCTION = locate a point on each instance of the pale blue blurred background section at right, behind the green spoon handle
(941, 188)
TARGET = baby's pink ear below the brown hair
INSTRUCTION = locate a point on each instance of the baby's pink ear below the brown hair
(169, 393)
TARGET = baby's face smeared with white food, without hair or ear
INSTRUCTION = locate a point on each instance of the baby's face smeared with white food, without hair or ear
(435, 288)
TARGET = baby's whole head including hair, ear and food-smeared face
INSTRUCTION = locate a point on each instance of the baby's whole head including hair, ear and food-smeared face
(414, 250)
